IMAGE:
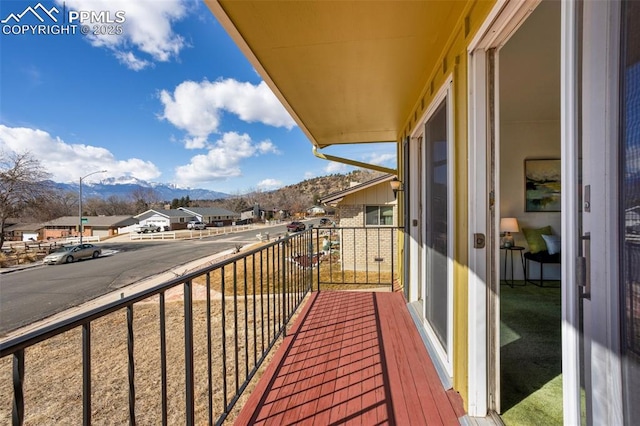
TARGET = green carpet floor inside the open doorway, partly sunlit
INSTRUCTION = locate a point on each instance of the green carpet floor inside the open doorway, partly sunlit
(531, 355)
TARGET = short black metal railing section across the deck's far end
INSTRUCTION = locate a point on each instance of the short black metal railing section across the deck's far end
(352, 257)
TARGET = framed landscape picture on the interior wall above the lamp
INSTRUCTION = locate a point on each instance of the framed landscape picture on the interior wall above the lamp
(542, 185)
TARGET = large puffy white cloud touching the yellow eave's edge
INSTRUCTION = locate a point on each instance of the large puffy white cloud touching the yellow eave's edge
(196, 107)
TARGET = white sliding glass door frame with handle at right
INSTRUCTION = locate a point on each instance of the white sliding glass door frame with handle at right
(590, 143)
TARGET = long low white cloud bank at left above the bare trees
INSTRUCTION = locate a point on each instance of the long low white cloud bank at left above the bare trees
(67, 162)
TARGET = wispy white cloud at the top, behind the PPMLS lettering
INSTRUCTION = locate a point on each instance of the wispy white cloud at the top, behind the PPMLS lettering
(146, 28)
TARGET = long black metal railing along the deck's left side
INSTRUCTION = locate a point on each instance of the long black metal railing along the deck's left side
(128, 353)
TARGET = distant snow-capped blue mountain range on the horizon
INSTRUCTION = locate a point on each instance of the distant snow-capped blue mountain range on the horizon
(125, 186)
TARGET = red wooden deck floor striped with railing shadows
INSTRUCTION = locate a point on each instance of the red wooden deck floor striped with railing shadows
(352, 358)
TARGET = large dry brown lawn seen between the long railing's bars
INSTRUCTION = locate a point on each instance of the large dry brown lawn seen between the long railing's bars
(53, 378)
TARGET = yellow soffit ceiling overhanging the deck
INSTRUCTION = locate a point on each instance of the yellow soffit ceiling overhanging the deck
(347, 71)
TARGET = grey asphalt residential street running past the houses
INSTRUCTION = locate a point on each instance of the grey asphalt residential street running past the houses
(35, 293)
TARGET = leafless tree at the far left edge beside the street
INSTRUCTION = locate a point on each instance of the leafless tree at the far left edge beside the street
(22, 181)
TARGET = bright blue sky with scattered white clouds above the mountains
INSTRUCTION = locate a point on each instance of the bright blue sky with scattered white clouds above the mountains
(171, 99)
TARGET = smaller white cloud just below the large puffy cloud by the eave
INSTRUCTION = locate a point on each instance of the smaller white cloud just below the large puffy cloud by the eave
(223, 159)
